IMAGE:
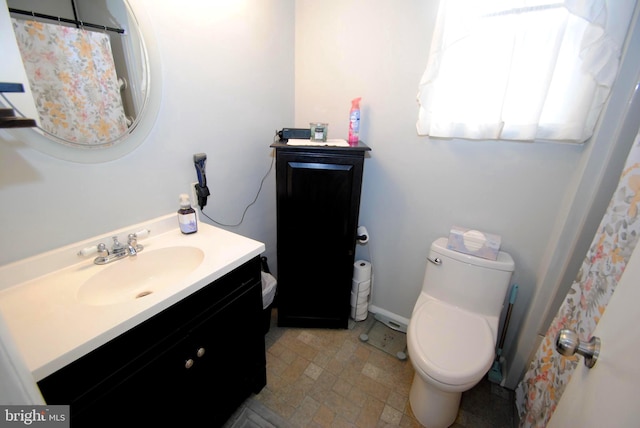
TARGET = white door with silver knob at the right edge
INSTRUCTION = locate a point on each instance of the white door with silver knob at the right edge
(607, 394)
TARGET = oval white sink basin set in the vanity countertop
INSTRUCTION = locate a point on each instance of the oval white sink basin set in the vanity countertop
(139, 276)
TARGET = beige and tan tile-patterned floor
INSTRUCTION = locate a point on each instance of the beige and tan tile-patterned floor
(329, 378)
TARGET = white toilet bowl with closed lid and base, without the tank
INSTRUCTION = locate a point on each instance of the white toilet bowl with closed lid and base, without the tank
(451, 350)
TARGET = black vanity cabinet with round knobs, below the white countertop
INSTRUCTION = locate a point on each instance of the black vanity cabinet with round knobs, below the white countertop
(194, 362)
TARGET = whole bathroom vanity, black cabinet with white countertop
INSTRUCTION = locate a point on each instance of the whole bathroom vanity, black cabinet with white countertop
(184, 354)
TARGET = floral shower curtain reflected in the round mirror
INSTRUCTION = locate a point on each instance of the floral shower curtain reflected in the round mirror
(73, 80)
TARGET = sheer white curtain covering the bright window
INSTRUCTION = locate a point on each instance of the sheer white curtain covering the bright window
(521, 69)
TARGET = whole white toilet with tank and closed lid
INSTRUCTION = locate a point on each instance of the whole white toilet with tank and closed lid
(453, 328)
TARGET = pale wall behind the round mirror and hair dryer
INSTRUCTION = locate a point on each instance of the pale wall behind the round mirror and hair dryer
(227, 77)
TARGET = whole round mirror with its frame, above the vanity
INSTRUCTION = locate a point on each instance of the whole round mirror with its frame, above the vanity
(92, 77)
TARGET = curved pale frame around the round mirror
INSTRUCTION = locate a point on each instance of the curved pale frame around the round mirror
(143, 124)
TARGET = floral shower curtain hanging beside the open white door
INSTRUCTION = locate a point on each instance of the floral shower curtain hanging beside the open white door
(540, 390)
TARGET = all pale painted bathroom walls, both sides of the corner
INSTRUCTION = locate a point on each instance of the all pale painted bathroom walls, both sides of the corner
(228, 82)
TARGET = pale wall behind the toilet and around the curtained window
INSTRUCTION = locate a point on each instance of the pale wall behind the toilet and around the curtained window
(415, 188)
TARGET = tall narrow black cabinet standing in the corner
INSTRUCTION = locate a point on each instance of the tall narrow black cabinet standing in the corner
(318, 201)
